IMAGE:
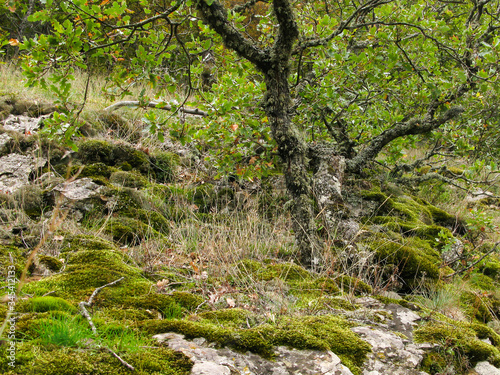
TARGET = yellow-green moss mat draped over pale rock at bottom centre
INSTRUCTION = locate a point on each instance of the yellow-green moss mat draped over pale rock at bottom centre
(225, 329)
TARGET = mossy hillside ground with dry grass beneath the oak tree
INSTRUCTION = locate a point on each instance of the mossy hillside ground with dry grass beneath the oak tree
(210, 259)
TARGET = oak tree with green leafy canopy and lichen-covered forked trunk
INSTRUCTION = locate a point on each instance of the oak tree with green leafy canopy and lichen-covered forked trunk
(335, 83)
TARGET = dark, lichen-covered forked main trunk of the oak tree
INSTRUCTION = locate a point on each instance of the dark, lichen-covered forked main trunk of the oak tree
(274, 64)
